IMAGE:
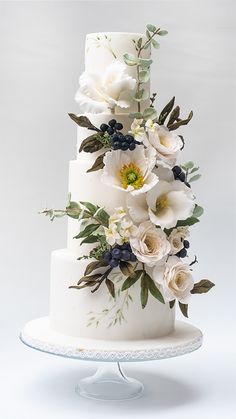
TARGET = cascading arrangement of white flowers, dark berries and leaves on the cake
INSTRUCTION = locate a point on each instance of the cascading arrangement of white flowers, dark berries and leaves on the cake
(147, 242)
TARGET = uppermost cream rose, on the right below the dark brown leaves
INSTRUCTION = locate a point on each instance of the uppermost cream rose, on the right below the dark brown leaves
(166, 143)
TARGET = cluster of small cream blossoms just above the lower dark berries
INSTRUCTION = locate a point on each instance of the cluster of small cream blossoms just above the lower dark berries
(120, 228)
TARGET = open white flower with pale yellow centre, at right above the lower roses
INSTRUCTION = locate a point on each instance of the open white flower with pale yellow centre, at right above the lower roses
(169, 202)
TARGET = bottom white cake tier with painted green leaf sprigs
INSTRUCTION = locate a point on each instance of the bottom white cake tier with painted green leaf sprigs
(76, 312)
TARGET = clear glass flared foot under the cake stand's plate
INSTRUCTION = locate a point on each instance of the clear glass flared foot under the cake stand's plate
(109, 383)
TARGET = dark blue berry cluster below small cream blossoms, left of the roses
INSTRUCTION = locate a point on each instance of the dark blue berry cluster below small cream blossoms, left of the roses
(117, 253)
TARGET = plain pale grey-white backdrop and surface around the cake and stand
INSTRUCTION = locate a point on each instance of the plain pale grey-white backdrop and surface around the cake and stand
(41, 57)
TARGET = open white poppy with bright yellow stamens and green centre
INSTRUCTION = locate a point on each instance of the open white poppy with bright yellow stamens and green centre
(130, 171)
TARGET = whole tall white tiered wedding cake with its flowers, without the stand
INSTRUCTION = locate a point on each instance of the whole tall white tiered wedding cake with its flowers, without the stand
(130, 205)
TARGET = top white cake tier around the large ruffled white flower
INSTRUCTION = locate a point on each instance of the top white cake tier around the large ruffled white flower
(103, 49)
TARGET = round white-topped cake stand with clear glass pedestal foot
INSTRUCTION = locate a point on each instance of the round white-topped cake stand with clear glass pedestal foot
(109, 382)
